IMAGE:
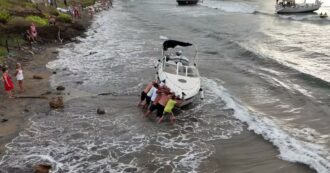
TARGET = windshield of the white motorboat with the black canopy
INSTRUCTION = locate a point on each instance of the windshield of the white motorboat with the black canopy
(189, 71)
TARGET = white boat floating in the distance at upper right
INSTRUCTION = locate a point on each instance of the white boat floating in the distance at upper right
(290, 6)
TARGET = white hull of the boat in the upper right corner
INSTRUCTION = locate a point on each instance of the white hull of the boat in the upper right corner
(298, 9)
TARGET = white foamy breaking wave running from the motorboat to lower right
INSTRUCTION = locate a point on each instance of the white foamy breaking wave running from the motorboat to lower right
(291, 149)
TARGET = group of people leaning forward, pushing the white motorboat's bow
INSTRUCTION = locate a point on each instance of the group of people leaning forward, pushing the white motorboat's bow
(157, 96)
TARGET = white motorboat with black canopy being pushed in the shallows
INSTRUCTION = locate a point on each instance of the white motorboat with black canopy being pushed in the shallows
(178, 73)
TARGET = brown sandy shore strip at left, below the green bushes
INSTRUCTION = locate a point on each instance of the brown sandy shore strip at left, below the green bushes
(14, 113)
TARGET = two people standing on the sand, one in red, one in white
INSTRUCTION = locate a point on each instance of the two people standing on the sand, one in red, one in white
(7, 80)
